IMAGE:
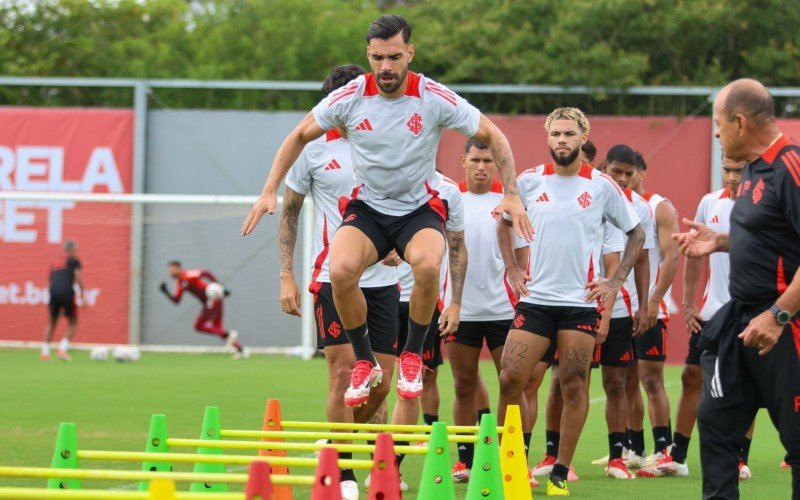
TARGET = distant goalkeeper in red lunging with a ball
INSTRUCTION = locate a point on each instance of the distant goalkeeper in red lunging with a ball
(196, 281)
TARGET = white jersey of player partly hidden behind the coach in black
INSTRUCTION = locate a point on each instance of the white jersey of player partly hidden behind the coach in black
(714, 211)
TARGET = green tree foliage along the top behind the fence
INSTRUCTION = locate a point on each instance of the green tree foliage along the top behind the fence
(611, 43)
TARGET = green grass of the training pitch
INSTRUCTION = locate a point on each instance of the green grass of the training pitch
(111, 404)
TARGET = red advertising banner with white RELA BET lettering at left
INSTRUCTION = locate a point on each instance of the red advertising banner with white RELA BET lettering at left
(76, 151)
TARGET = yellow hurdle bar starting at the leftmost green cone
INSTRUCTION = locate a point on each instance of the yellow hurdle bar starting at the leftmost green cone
(140, 456)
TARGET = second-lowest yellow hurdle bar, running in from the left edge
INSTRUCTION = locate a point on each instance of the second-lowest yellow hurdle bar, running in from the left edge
(125, 475)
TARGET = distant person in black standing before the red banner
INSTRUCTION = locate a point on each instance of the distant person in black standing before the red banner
(65, 273)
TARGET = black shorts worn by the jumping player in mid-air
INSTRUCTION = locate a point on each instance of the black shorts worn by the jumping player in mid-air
(393, 232)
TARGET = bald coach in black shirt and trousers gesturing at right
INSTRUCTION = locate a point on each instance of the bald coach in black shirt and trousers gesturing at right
(752, 345)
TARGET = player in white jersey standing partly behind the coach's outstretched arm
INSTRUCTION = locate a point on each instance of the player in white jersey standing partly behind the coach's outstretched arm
(714, 211)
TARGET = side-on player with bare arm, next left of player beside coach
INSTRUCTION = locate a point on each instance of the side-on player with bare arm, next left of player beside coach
(650, 348)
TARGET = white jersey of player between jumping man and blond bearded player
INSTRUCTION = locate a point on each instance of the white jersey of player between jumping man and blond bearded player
(487, 294)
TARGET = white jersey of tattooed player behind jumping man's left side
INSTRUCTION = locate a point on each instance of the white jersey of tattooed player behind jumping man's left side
(325, 170)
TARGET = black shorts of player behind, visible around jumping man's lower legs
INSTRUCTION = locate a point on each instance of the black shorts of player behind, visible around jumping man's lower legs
(382, 304)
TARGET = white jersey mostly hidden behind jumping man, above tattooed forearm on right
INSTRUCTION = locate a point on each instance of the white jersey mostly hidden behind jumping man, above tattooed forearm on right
(449, 192)
